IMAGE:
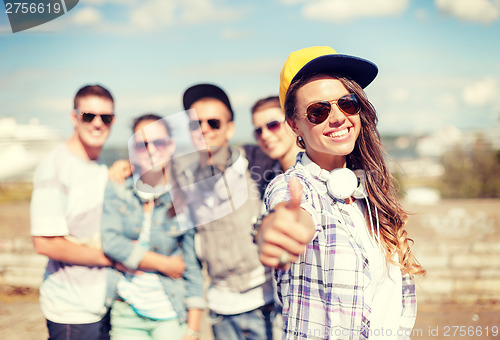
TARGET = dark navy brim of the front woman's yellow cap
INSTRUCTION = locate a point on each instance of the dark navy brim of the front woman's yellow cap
(360, 70)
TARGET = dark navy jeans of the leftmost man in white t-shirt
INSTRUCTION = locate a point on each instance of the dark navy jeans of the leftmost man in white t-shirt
(85, 331)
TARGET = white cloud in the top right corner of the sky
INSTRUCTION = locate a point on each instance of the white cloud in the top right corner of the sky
(483, 11)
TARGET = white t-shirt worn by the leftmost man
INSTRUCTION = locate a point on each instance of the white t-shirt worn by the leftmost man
(67, 201)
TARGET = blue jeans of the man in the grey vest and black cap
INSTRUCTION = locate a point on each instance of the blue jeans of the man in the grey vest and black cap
(253, 325)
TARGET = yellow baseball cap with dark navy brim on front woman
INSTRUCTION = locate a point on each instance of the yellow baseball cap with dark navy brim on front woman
(322, 59)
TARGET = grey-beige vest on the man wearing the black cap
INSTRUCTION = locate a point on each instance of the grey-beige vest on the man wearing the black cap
(224, 207)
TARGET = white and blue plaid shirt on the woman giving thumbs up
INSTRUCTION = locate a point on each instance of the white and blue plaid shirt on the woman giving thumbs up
(324, 293)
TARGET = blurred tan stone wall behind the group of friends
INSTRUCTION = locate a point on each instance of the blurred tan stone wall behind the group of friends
(458, 242)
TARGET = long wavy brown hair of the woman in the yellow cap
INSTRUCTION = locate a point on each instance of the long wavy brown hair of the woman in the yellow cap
(381, 186)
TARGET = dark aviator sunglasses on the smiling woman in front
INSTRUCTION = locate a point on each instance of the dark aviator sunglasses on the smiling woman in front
(318, 112)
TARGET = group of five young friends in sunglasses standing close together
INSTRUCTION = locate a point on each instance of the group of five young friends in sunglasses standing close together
(299, 236)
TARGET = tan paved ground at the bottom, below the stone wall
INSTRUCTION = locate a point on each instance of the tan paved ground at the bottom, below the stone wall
(21, 319)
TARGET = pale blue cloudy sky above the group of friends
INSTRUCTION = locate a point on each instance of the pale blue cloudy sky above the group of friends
(439, 60)
